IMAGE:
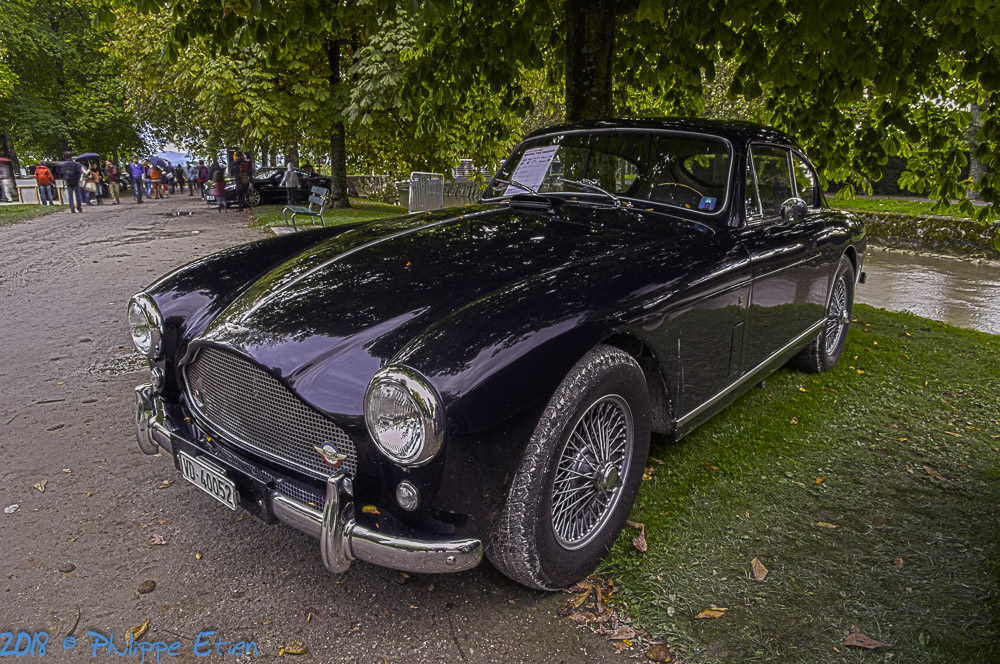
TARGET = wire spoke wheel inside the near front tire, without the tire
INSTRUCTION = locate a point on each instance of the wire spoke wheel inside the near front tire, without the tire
(588, 476)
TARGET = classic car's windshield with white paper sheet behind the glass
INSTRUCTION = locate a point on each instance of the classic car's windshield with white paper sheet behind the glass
(687, 171)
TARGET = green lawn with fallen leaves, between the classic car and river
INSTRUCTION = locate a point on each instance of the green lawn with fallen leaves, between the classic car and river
(896, 450)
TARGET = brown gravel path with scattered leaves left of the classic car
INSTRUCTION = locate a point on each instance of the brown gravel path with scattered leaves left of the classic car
(67, 372)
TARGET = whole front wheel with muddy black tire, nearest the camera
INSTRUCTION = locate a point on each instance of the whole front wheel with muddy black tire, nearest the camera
(579, 475)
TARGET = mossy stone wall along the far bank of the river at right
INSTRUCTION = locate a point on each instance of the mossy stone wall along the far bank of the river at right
(942, 235)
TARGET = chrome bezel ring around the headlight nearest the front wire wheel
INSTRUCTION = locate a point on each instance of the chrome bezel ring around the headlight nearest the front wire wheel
(427, 407)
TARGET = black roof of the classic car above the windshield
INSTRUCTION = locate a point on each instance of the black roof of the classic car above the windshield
(737, 131)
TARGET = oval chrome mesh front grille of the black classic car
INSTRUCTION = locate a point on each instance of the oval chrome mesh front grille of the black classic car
(253, 409)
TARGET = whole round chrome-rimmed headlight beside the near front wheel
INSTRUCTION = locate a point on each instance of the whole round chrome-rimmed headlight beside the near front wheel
(404, 416)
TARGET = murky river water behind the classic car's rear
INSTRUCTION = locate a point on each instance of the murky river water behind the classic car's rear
(954, 291)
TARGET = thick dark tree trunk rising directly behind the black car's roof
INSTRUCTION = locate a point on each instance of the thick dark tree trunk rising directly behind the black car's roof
(590, 53)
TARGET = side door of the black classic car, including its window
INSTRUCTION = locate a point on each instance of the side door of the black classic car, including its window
(790, 273)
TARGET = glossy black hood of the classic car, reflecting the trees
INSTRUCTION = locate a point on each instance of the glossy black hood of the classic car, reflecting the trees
(326, 320)
